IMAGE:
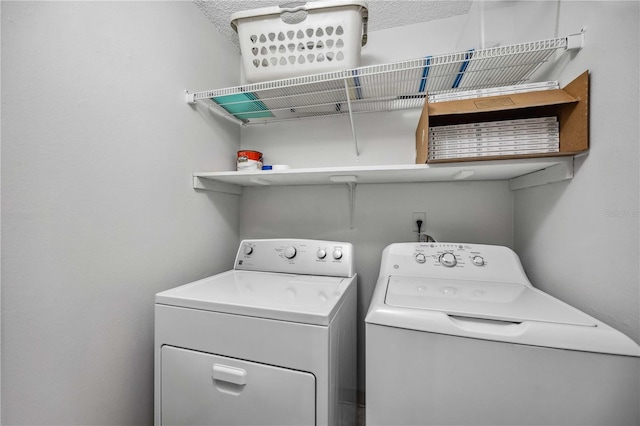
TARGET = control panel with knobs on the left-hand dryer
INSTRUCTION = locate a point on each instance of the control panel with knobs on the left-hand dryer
(296, 256)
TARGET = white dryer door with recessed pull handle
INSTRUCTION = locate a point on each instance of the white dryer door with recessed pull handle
(204, 389)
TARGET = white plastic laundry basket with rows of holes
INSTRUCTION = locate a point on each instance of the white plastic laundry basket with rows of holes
(301, 38)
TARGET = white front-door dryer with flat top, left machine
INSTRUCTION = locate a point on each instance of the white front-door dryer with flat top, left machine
(271, 342)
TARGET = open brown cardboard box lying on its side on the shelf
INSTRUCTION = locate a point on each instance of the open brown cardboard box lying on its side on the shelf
(570, 105)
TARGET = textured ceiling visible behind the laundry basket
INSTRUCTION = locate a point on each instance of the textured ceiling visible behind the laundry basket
(382, 13)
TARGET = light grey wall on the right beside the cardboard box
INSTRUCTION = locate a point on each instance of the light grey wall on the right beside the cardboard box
(579, 240)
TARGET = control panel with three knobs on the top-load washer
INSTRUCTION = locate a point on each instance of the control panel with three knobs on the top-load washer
(452, 261)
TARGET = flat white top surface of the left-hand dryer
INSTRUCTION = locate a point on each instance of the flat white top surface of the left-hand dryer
(306, 299)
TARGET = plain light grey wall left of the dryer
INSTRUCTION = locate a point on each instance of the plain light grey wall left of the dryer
(98, 210)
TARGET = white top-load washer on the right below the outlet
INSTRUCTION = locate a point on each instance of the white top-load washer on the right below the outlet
(456, 334)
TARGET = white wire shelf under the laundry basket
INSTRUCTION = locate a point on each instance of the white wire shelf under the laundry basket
(387, 87)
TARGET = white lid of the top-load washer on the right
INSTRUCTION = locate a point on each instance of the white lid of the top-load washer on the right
(509, 302)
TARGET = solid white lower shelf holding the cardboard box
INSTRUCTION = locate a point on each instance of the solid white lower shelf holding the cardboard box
(521, 173)
